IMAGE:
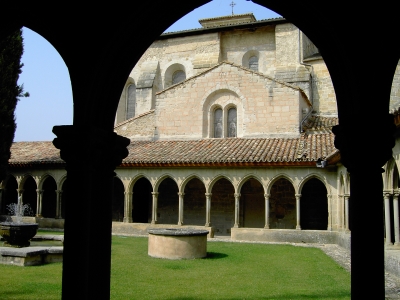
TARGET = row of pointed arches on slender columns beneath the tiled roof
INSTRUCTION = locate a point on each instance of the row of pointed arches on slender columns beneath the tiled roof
(249, 198)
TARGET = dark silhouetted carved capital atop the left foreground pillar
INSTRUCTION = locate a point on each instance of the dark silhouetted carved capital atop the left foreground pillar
(94, 147)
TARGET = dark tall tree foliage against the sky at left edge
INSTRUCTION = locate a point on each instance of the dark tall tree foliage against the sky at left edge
(11, 49)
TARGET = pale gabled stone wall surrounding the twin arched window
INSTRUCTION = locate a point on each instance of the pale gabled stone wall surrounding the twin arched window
(264, 107)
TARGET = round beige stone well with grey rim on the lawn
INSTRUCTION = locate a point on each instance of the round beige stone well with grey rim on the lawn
(173, 243)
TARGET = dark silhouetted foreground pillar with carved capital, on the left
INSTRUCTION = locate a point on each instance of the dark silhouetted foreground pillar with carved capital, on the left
(91, 155)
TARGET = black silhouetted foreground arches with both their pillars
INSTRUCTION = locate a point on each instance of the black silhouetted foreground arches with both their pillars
(96, 96)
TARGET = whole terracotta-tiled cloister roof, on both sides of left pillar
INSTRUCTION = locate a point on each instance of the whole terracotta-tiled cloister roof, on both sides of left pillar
(304, 150)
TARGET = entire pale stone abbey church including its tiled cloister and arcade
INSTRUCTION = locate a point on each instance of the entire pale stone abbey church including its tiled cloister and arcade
(231, 130)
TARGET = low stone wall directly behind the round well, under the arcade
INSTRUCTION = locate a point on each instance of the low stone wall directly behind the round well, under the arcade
(119, 228)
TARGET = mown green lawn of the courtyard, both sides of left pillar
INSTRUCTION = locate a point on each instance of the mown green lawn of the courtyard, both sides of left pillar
(231, 271)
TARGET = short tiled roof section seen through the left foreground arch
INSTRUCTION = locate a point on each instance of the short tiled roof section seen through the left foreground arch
(34, 153)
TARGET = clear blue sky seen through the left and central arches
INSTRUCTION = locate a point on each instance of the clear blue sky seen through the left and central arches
(46, 77)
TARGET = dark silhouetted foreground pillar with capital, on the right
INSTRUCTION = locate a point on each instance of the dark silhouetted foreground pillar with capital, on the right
(366, 182)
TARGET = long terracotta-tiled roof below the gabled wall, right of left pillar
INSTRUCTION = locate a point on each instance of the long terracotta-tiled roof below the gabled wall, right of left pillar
(231, 151)
